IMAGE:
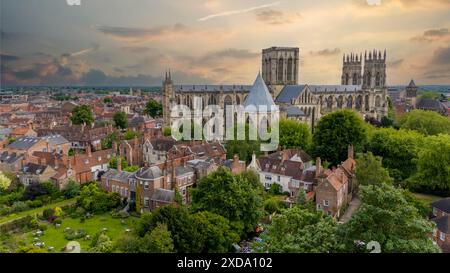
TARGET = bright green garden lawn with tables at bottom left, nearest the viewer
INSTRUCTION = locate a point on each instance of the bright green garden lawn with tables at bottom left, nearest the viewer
(55, 236)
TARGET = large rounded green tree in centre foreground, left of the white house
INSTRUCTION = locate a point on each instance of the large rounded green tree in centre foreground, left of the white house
(231, 196)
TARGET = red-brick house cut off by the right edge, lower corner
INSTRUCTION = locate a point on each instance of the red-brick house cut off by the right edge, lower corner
(441, 216)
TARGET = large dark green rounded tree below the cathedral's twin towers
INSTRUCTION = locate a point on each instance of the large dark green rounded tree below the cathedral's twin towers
(335, 132)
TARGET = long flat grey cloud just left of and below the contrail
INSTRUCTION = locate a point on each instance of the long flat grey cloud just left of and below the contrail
(142, 33)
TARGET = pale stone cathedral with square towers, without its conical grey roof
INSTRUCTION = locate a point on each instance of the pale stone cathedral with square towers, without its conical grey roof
(363, 88)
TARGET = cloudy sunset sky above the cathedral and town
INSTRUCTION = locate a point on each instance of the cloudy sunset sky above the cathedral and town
(132, 42)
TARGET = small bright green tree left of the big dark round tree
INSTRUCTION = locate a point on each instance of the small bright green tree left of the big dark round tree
(294, 134)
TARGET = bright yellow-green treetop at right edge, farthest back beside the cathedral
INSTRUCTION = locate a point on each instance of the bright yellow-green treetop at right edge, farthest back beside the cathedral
(426, 122)
